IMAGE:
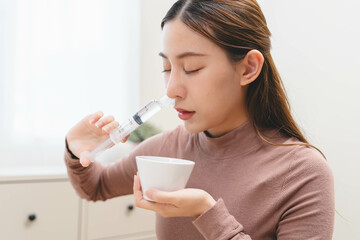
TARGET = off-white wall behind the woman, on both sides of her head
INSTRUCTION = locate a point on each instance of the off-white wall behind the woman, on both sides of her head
(315, 47)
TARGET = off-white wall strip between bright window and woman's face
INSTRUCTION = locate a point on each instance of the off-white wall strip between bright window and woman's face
(151, 78)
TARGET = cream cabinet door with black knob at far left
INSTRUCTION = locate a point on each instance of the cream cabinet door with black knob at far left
(38, 210)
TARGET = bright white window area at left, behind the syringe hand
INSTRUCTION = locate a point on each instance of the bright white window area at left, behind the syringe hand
(60, 61)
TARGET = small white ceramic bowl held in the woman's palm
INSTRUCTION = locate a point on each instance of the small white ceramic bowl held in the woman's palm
(163, 173)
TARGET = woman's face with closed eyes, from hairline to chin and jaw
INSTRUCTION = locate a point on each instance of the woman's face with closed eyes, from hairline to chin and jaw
(202, 79)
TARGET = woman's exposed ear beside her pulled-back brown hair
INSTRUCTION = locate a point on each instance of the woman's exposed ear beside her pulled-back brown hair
(250, 67)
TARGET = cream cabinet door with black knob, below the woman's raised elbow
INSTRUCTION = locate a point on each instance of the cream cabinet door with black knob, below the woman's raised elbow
(118, 219)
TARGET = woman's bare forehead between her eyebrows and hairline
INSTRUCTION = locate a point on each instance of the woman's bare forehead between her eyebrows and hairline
(178, 38)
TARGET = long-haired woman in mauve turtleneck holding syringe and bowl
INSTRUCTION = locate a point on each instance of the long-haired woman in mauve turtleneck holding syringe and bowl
(256, 176)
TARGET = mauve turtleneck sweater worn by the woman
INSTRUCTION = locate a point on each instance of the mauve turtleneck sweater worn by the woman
(262, 191)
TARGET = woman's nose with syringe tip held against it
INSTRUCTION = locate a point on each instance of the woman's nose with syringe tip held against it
(175, 87)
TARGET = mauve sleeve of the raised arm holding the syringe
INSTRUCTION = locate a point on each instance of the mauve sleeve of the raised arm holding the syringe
(98, 182)
